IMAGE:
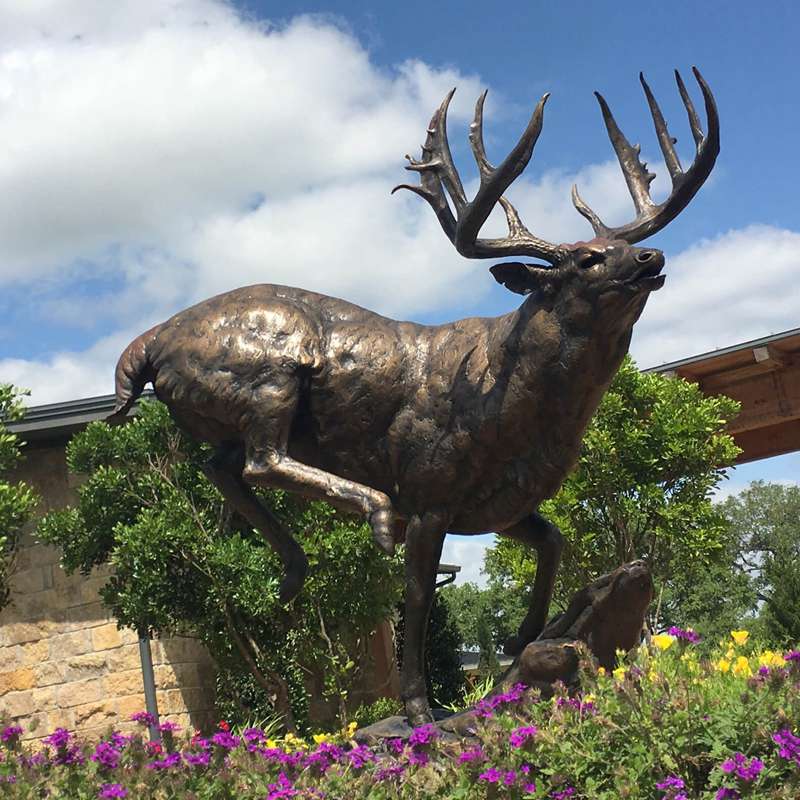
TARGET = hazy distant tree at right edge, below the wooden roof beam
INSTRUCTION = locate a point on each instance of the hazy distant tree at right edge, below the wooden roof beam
(765, 524)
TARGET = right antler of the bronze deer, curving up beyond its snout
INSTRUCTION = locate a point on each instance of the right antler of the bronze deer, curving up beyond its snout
(650, 217)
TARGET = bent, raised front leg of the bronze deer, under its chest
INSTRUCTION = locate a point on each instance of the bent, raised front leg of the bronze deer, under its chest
(535, 531)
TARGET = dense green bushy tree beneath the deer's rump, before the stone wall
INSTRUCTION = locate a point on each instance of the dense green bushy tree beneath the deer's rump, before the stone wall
(183, 563)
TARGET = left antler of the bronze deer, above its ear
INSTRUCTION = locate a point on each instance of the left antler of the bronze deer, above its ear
(439, 175)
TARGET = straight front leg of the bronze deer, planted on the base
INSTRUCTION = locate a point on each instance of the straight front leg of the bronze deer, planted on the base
(424, 540)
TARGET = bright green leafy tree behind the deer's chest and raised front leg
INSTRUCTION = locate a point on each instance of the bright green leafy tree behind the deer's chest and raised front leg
(650, 461)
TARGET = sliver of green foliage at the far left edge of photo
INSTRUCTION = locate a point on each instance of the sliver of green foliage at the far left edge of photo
(17, 500)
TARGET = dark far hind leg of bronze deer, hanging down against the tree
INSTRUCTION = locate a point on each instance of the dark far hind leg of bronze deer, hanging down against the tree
(224, 470)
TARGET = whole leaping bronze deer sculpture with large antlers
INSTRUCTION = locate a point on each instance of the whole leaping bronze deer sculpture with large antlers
(464, 427)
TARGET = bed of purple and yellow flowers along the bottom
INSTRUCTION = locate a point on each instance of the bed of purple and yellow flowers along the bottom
(663, 726)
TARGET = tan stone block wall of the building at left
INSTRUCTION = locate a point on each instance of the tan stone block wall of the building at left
(62, 660)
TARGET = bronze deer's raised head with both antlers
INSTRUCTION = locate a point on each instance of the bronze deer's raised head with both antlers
(607, 274)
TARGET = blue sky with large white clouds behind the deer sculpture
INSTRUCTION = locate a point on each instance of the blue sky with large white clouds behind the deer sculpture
(157, 152)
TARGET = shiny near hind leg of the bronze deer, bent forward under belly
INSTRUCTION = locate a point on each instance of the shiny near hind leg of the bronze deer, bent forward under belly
(268, 464)
